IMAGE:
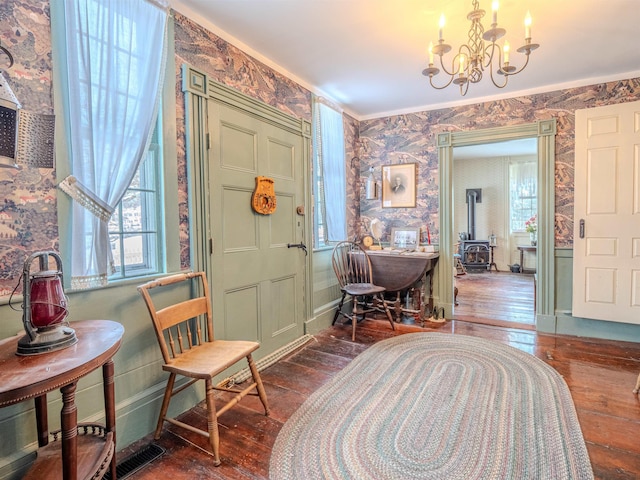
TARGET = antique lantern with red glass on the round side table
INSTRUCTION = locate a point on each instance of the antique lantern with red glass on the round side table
(44, 308)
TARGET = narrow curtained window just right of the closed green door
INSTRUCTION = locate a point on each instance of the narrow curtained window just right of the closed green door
(329, 188)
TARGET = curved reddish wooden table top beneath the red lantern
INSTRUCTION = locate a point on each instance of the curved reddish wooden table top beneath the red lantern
(24, 377)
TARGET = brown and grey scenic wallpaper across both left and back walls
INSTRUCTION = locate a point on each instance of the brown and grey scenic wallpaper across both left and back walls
(28, 214)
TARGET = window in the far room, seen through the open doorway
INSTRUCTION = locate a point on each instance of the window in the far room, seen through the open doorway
(523, 193)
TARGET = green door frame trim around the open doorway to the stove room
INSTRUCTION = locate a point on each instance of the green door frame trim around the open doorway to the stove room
(544, 131)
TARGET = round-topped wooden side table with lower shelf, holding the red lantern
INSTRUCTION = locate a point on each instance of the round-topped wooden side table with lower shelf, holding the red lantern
(78, 455)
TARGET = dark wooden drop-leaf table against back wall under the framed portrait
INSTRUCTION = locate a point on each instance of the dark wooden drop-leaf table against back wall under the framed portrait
(398, 271)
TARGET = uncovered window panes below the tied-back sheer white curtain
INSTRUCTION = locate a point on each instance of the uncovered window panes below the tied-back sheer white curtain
(134, 227)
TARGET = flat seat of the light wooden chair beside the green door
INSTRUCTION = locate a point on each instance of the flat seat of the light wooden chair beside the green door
(210, 358)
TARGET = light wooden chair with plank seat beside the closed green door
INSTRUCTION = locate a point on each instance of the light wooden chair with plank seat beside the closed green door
(185, 334)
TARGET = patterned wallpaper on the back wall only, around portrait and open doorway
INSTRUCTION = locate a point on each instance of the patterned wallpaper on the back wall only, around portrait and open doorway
(411, 138)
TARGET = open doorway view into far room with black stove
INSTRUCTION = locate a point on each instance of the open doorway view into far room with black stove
(495, 200)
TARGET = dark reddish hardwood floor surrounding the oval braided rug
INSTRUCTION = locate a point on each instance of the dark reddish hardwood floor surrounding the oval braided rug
(600, 375)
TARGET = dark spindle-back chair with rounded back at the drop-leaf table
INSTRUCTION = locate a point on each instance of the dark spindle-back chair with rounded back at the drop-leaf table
(352, 267)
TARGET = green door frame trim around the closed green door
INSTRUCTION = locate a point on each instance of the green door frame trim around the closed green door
(198, 88)
